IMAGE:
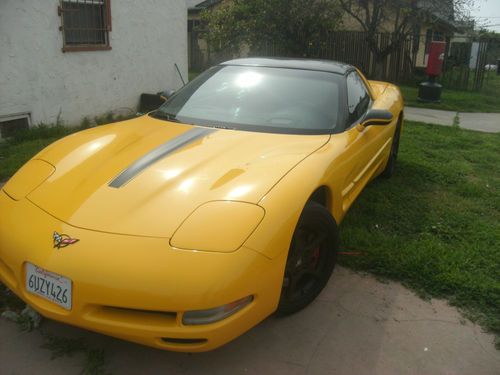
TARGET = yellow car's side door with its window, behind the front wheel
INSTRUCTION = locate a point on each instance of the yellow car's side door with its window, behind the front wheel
(363, 149)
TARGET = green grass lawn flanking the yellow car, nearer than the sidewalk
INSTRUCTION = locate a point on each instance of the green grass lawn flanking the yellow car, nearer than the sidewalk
(435, 226)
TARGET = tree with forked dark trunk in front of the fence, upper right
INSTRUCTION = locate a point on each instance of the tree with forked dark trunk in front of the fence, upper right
(401, 18)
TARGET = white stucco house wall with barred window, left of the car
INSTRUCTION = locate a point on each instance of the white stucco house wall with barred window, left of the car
(68, 59)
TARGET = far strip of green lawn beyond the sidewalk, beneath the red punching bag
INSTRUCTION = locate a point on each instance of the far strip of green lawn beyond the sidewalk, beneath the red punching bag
(487, 100)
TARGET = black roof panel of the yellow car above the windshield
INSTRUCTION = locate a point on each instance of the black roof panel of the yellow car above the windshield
(292, 63)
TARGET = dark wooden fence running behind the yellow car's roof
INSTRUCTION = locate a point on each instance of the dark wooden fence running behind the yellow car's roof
(352, 47)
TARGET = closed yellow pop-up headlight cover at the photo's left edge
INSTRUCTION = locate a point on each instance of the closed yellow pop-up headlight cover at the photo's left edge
(28, 178)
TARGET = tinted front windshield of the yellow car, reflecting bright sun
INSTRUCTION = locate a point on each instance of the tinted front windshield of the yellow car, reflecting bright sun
(258, 99)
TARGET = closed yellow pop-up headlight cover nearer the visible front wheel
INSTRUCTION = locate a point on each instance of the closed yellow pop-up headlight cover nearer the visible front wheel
(220, 226)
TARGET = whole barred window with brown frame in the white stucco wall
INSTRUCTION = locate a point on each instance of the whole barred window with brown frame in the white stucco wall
(85, 24)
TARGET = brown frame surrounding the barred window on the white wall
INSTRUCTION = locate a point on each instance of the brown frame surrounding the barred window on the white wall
(107, 28)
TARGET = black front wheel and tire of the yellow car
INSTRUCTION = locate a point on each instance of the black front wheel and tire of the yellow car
(311, 259)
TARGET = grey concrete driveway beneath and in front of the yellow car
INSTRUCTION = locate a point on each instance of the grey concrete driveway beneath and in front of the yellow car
(358, 326)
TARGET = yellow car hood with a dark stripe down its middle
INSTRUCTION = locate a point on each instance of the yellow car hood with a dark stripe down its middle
(197, 165)
